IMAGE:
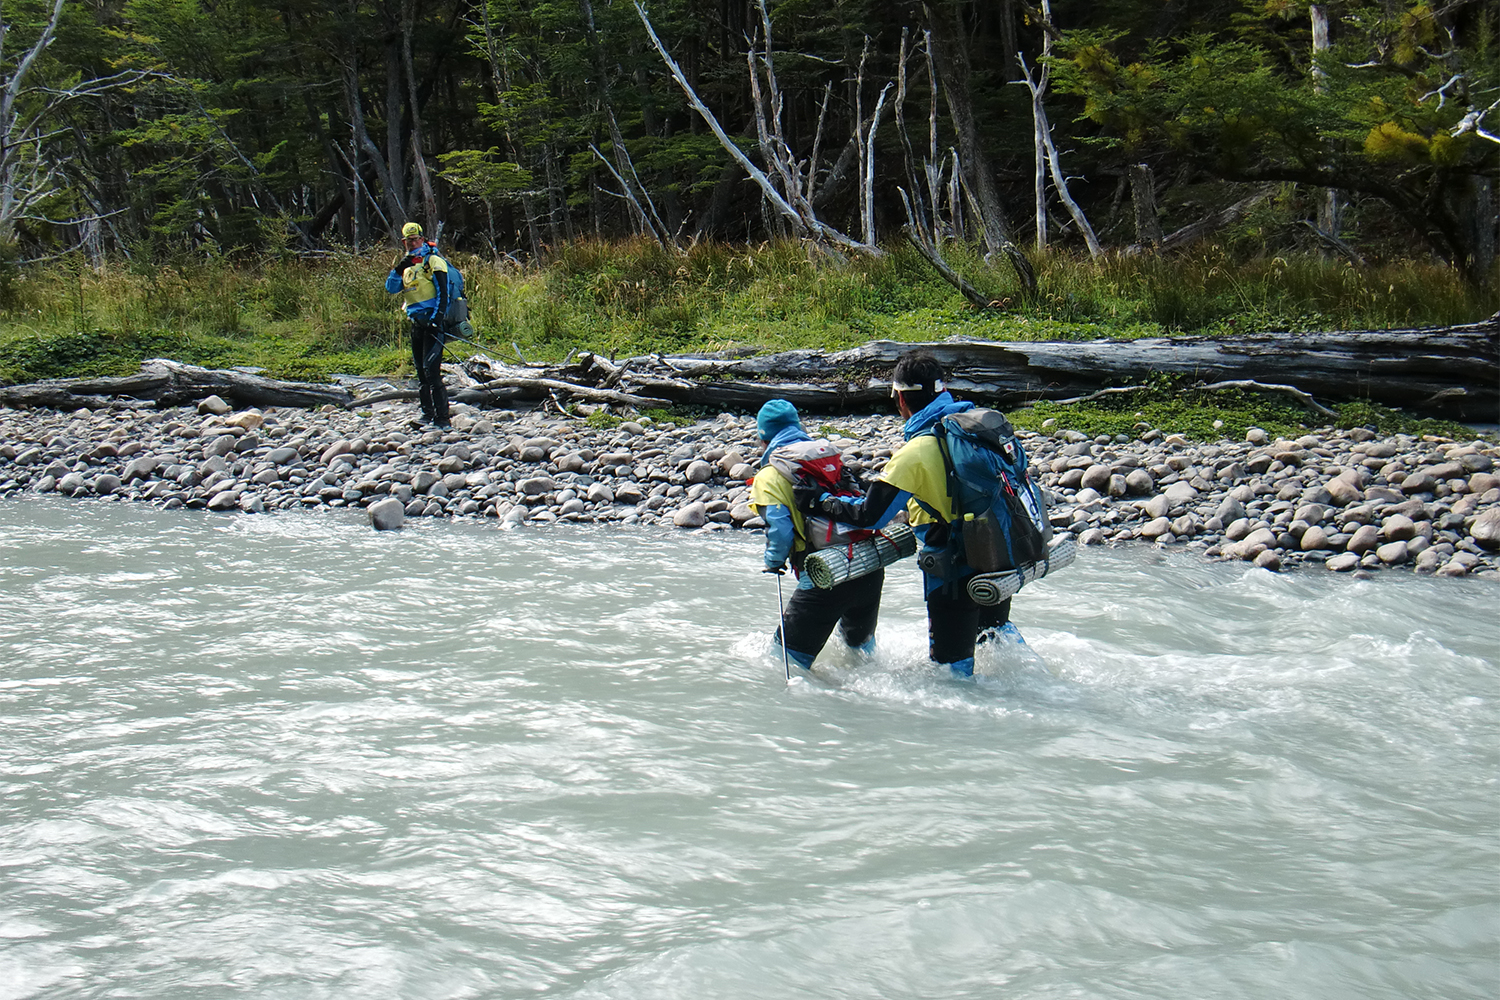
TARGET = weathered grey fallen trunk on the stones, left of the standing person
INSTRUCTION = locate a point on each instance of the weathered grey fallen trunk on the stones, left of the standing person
(173, 385)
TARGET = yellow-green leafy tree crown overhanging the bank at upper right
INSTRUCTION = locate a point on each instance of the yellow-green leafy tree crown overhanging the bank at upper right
(1250, 101)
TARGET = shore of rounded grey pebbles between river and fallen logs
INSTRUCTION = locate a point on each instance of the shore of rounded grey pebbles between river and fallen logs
(1331, 500)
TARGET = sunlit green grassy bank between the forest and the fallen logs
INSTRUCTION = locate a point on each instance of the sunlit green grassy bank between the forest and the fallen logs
(308, 319)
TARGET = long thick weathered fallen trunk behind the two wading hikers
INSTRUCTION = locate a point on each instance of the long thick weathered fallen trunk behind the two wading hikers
(1450, 373)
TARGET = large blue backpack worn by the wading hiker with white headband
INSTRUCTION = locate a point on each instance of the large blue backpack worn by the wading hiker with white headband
(1000, 513)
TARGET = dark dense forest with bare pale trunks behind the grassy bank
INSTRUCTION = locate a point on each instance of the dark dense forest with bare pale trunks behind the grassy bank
(143, 130)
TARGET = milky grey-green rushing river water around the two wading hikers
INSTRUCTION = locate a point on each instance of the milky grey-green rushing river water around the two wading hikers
(286, 756)
